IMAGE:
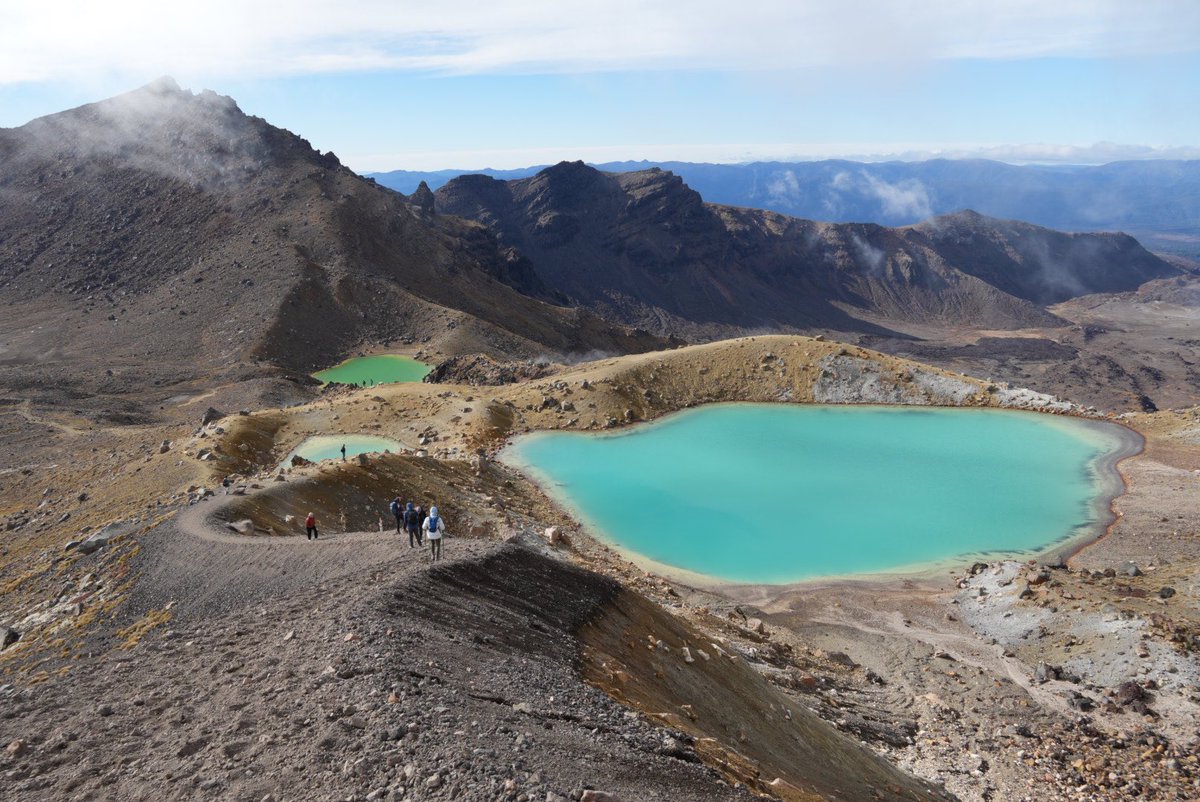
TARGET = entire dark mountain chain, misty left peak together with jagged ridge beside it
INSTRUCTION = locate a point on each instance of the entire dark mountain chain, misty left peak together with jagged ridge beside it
(164, 241)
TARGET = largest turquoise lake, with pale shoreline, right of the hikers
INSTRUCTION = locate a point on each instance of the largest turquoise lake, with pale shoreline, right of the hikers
(772, 494)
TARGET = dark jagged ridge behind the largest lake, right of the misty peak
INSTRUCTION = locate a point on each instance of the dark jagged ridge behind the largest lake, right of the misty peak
(644, 248)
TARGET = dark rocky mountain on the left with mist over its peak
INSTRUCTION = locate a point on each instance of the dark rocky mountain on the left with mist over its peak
(161, 236)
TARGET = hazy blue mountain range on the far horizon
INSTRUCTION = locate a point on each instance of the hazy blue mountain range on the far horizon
(1156, 201)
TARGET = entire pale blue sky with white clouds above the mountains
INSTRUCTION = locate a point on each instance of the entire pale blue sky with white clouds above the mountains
(470, 86)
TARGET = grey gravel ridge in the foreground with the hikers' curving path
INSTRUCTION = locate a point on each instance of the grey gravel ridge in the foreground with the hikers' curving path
(340, 669)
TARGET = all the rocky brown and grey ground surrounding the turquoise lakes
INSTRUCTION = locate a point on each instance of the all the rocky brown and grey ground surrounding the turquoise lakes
(152, 653)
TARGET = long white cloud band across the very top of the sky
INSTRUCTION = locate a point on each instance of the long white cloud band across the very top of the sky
(80, 40)
